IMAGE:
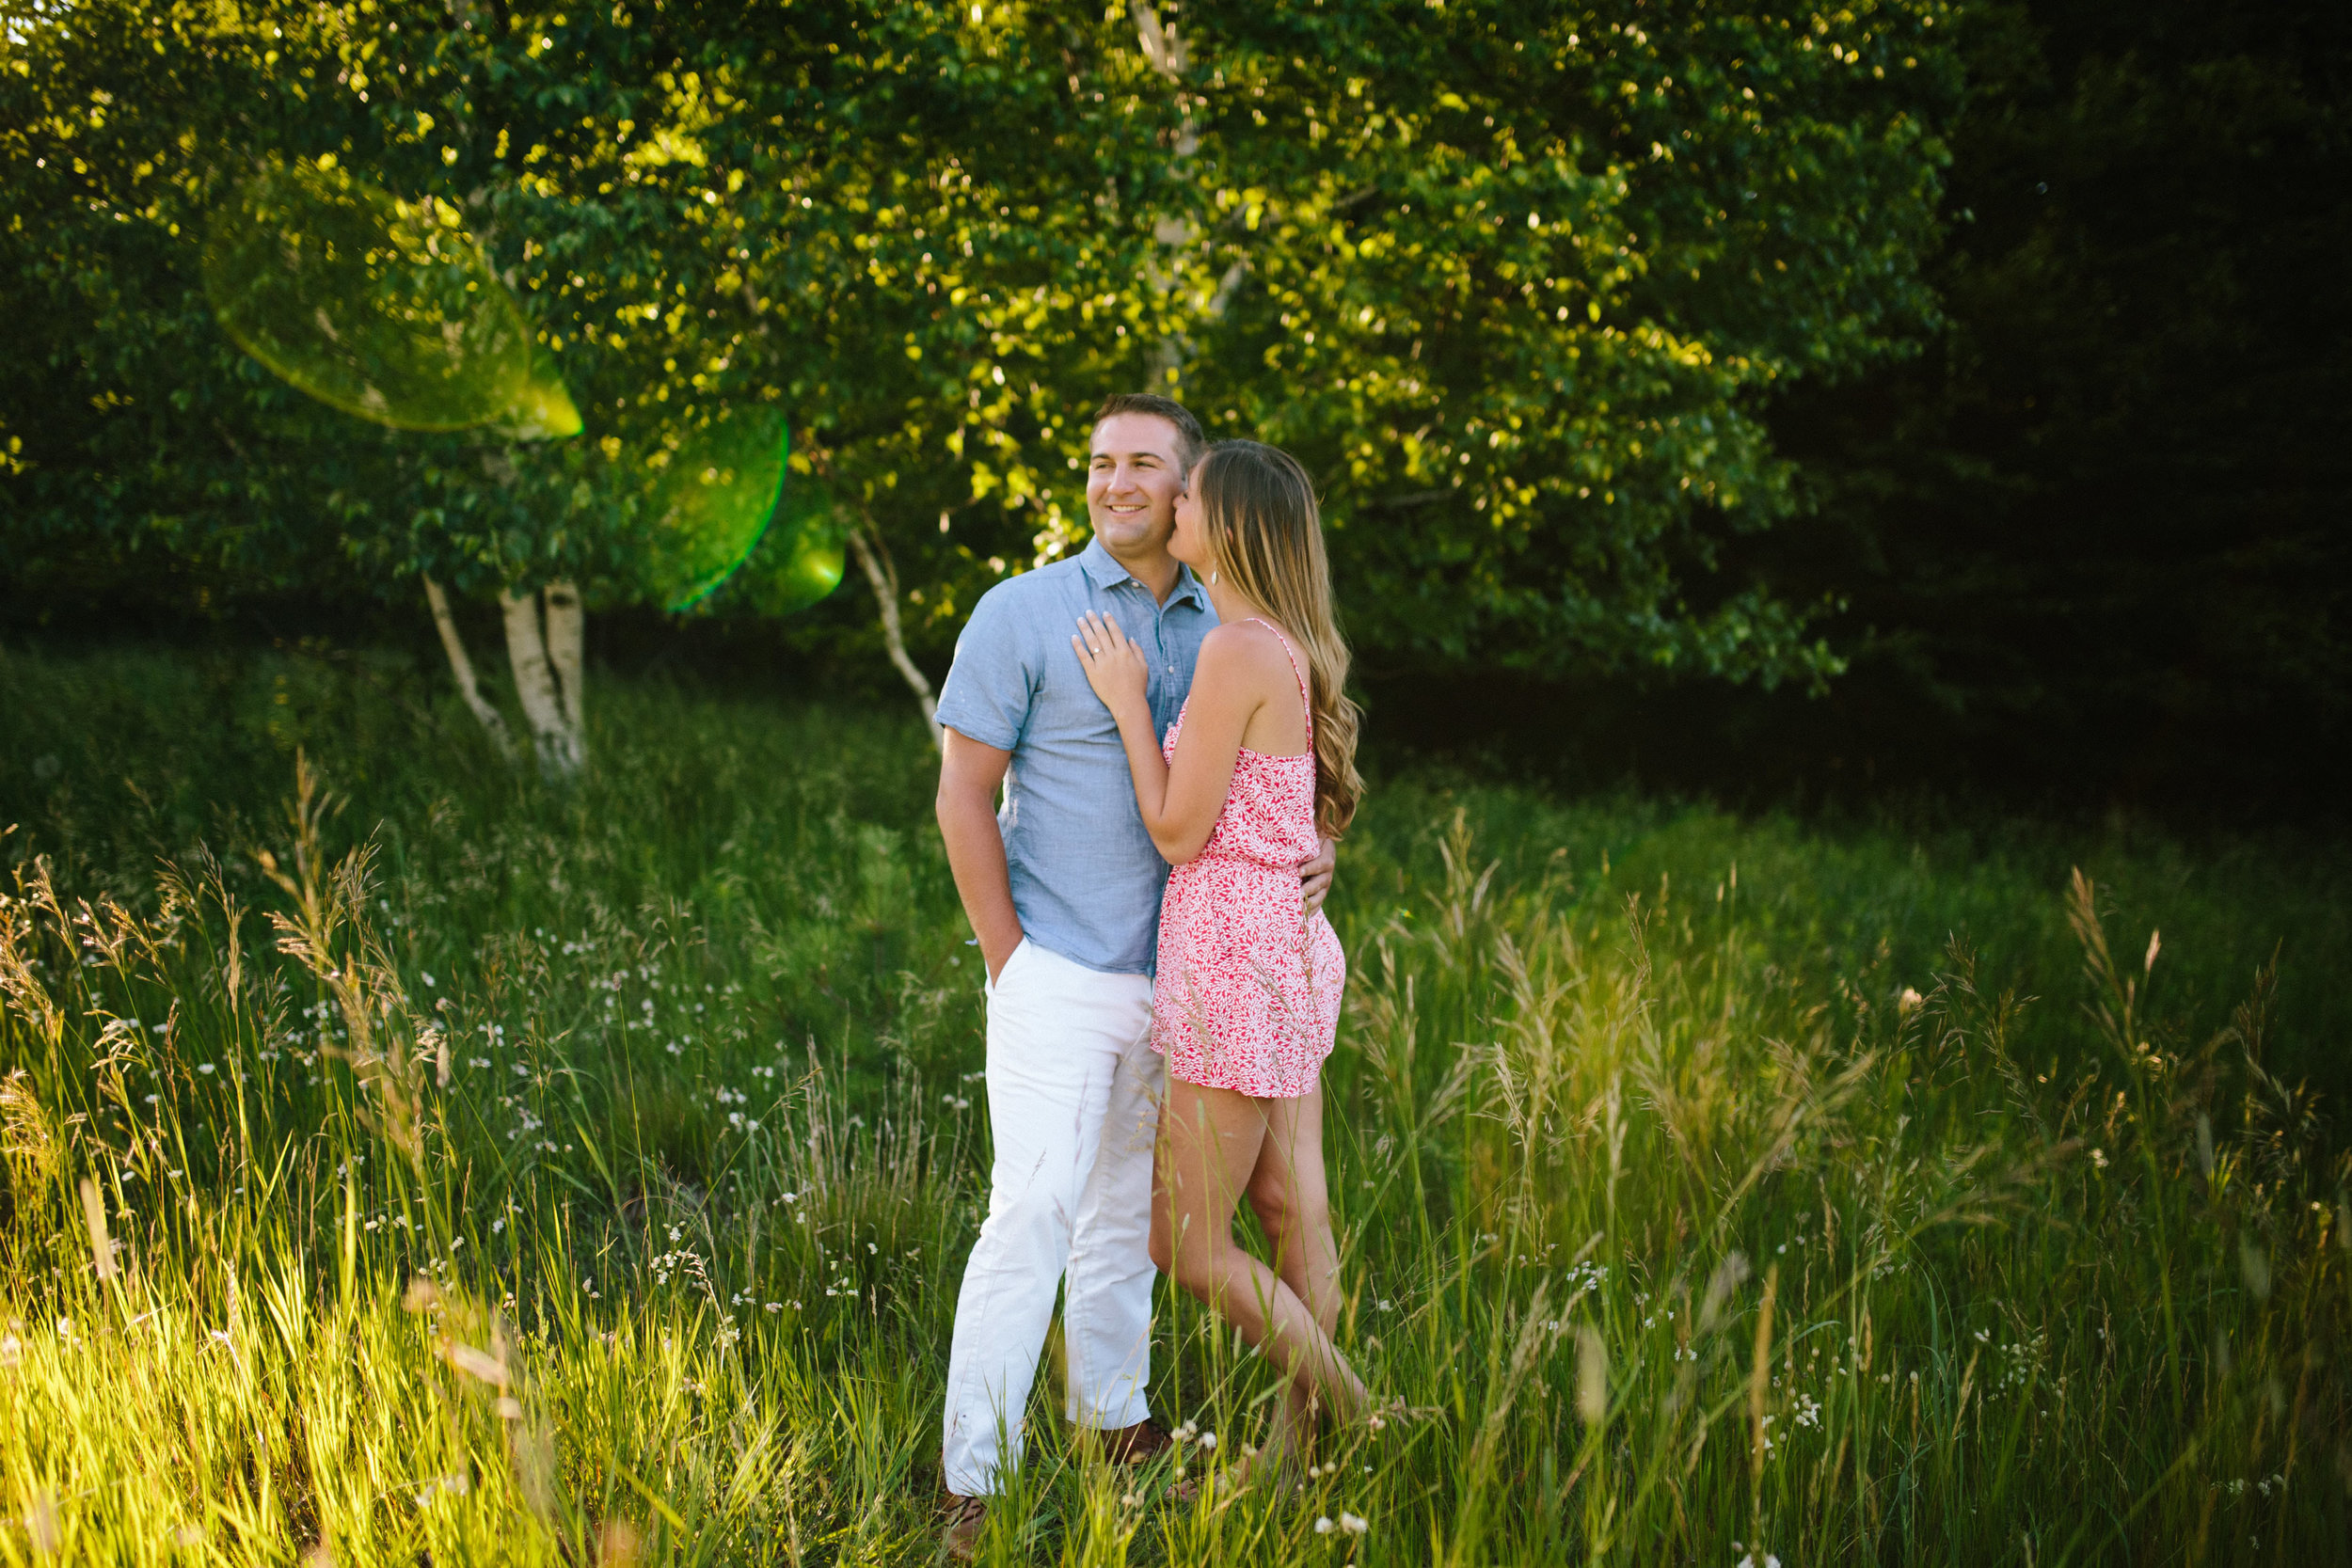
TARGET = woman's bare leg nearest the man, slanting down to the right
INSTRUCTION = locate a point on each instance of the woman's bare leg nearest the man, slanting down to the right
(1215, 1141)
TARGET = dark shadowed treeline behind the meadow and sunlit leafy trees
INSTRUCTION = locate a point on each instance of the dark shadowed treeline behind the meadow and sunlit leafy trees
(2092, 540)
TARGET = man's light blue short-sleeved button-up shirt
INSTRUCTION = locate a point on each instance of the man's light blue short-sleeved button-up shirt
(1085, 871)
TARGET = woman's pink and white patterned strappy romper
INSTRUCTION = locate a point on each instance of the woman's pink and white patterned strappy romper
(1248, 991)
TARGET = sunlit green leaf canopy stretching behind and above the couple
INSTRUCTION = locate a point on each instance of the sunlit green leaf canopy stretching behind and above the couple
(1516, 283)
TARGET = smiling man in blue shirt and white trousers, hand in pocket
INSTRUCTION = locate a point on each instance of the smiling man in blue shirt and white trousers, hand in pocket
(1064, 897)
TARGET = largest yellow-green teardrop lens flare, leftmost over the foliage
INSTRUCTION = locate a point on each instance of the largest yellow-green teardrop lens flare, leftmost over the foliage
(375, 307)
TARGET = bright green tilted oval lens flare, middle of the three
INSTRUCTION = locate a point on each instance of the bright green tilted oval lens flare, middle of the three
(716, 497)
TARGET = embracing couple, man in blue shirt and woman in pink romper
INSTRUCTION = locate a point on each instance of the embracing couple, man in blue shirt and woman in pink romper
(1156, 1038)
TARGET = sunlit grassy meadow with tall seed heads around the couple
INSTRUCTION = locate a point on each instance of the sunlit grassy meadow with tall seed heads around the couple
(408, 1162)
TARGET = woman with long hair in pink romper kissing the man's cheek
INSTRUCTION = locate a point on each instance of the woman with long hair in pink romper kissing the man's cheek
(1245, 1005)
